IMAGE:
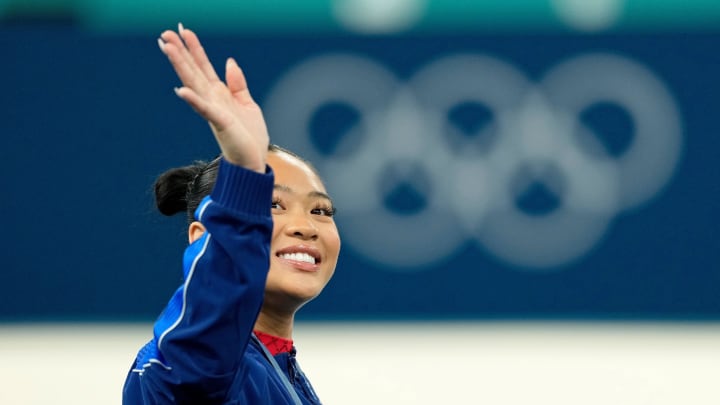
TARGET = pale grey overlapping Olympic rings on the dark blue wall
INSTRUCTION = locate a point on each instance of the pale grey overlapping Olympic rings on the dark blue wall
(470, 192)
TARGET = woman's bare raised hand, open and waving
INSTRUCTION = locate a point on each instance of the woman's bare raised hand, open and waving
(236, 120)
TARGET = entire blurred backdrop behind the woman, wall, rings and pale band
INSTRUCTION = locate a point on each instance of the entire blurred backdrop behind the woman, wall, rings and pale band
(527, 191)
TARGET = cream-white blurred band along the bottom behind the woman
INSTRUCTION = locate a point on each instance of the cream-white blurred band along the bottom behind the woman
(407, 363)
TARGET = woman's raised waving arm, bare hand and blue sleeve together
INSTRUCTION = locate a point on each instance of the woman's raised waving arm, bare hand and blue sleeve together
(199, 340)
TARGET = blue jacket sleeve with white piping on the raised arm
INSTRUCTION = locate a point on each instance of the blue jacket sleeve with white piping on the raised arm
(200, 337)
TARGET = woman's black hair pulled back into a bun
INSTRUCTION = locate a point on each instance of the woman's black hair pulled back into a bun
(181, 189)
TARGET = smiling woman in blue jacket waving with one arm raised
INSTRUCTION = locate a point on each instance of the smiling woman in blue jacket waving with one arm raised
(263, 242)
